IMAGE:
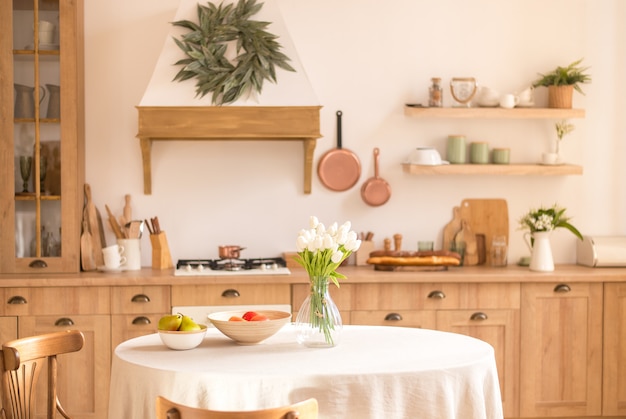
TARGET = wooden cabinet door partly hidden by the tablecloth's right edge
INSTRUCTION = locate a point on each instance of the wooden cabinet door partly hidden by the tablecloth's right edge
(499, 328)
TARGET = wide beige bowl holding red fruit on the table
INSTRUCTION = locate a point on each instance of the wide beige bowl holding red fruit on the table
(249, 332)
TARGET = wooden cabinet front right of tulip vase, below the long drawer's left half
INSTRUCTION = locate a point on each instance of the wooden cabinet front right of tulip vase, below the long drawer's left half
(425, 319)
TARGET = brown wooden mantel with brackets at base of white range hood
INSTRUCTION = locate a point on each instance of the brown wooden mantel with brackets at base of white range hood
(264, 123)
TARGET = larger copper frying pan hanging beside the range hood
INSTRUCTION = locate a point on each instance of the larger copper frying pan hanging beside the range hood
(339, 169)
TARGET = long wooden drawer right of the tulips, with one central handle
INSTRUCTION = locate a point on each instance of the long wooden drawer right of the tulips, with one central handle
(433, 296)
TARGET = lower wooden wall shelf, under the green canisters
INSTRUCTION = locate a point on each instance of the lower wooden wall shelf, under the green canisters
(523, 169)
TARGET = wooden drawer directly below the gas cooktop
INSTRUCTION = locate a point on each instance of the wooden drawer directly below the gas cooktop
(231, 294)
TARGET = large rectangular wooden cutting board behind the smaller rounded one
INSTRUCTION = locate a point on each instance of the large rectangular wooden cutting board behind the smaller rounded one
(489, 217)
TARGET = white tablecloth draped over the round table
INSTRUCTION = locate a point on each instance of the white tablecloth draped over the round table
(374, 372)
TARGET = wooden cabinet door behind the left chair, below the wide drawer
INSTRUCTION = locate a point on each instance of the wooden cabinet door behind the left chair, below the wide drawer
(83, 376)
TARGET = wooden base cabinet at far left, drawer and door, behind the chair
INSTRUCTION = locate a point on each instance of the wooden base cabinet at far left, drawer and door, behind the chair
(85, 377)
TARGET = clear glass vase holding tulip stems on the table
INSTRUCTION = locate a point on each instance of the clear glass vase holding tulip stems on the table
(318, 323)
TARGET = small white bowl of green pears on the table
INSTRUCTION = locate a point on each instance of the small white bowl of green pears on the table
(180, 332)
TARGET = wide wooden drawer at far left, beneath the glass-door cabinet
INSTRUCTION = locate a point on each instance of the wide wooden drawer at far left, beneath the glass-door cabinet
(55, 300)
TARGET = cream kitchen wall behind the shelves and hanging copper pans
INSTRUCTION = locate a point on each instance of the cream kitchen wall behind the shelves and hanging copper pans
(367, 58)
